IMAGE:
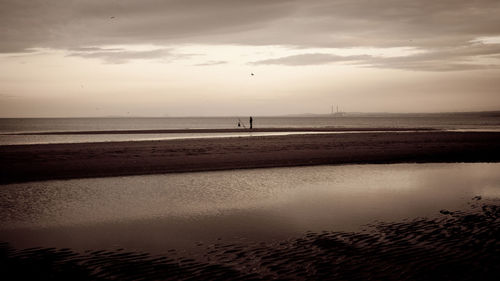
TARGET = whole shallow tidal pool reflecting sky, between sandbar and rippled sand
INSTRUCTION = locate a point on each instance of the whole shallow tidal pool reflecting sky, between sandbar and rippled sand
(265, 202)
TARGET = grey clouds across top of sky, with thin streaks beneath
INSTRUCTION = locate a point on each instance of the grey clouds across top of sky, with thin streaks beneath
(428, 24)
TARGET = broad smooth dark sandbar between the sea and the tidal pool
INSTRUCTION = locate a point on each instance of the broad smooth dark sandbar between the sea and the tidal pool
(62, 161)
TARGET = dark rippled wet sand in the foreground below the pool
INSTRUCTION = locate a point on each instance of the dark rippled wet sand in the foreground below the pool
(460, 245)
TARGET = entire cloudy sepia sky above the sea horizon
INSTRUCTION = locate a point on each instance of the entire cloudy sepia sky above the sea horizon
(91, 58)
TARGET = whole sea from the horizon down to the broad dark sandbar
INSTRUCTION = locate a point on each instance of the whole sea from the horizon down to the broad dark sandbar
(11, 128)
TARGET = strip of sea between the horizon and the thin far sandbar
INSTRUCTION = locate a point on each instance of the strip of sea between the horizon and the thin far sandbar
(471, 121)
